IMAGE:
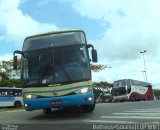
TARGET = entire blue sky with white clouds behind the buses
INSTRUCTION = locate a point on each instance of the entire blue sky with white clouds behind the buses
(119, 30)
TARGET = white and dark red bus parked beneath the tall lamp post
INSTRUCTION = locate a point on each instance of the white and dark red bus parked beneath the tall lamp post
(132, 90)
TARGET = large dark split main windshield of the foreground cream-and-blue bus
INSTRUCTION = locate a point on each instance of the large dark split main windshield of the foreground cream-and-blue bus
(58, 65)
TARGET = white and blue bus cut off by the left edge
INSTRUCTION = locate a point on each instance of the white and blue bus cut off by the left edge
(11, 97)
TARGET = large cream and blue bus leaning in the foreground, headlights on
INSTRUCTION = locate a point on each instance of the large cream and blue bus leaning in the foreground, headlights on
(55, 71)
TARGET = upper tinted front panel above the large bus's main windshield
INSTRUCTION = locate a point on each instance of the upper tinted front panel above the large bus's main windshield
(54, 39)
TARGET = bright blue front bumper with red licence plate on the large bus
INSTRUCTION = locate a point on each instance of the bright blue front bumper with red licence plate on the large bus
(59, 102)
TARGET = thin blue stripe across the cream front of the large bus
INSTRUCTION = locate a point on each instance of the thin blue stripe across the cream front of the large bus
(57, 90)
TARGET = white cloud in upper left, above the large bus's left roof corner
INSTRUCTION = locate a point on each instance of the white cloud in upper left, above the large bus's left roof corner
(16, 25)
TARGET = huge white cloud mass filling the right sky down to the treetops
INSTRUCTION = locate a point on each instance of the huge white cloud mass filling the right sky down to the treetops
(133, 27)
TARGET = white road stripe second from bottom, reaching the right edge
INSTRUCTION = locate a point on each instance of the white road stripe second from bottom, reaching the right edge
(130, 117)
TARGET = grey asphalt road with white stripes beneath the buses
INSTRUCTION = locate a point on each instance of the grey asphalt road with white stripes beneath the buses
(131, 115)
